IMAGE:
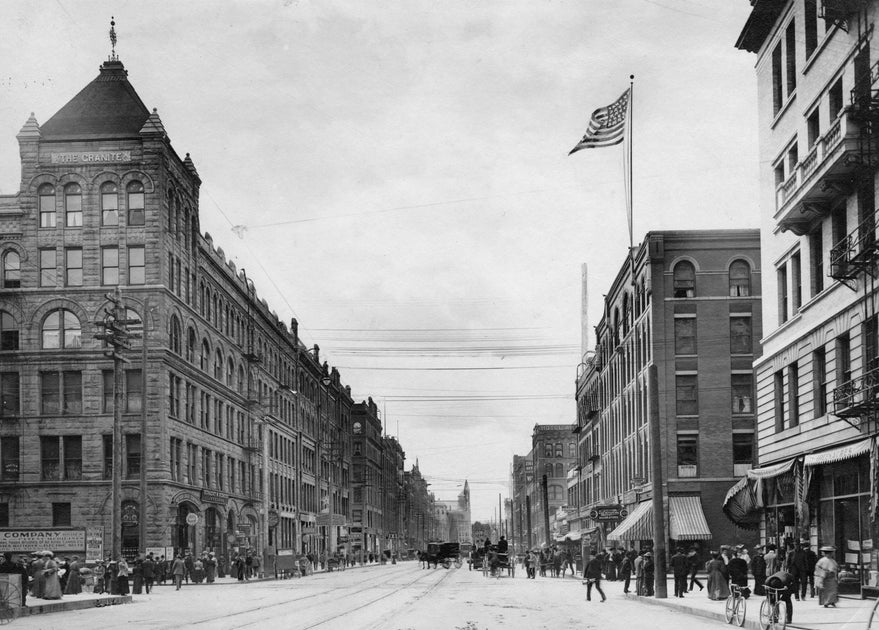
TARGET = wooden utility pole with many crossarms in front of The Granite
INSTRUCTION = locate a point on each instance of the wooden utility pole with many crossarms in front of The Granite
(116, 335)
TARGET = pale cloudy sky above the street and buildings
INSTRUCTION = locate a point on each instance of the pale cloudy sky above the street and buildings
(396, 177)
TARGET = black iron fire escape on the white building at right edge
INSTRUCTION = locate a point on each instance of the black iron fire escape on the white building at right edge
(854, 258)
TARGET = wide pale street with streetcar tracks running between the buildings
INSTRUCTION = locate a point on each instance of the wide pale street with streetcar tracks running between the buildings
(389, 597)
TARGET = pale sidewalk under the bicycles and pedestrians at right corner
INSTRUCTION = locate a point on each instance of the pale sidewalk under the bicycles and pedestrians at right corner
(850, 612)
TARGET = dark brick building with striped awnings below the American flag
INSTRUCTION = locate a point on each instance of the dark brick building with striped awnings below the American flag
(686, 308)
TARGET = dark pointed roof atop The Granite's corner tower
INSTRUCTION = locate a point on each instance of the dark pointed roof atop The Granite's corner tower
(108, 107)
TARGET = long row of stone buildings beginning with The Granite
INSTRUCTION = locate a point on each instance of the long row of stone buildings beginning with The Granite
(229, 434)
